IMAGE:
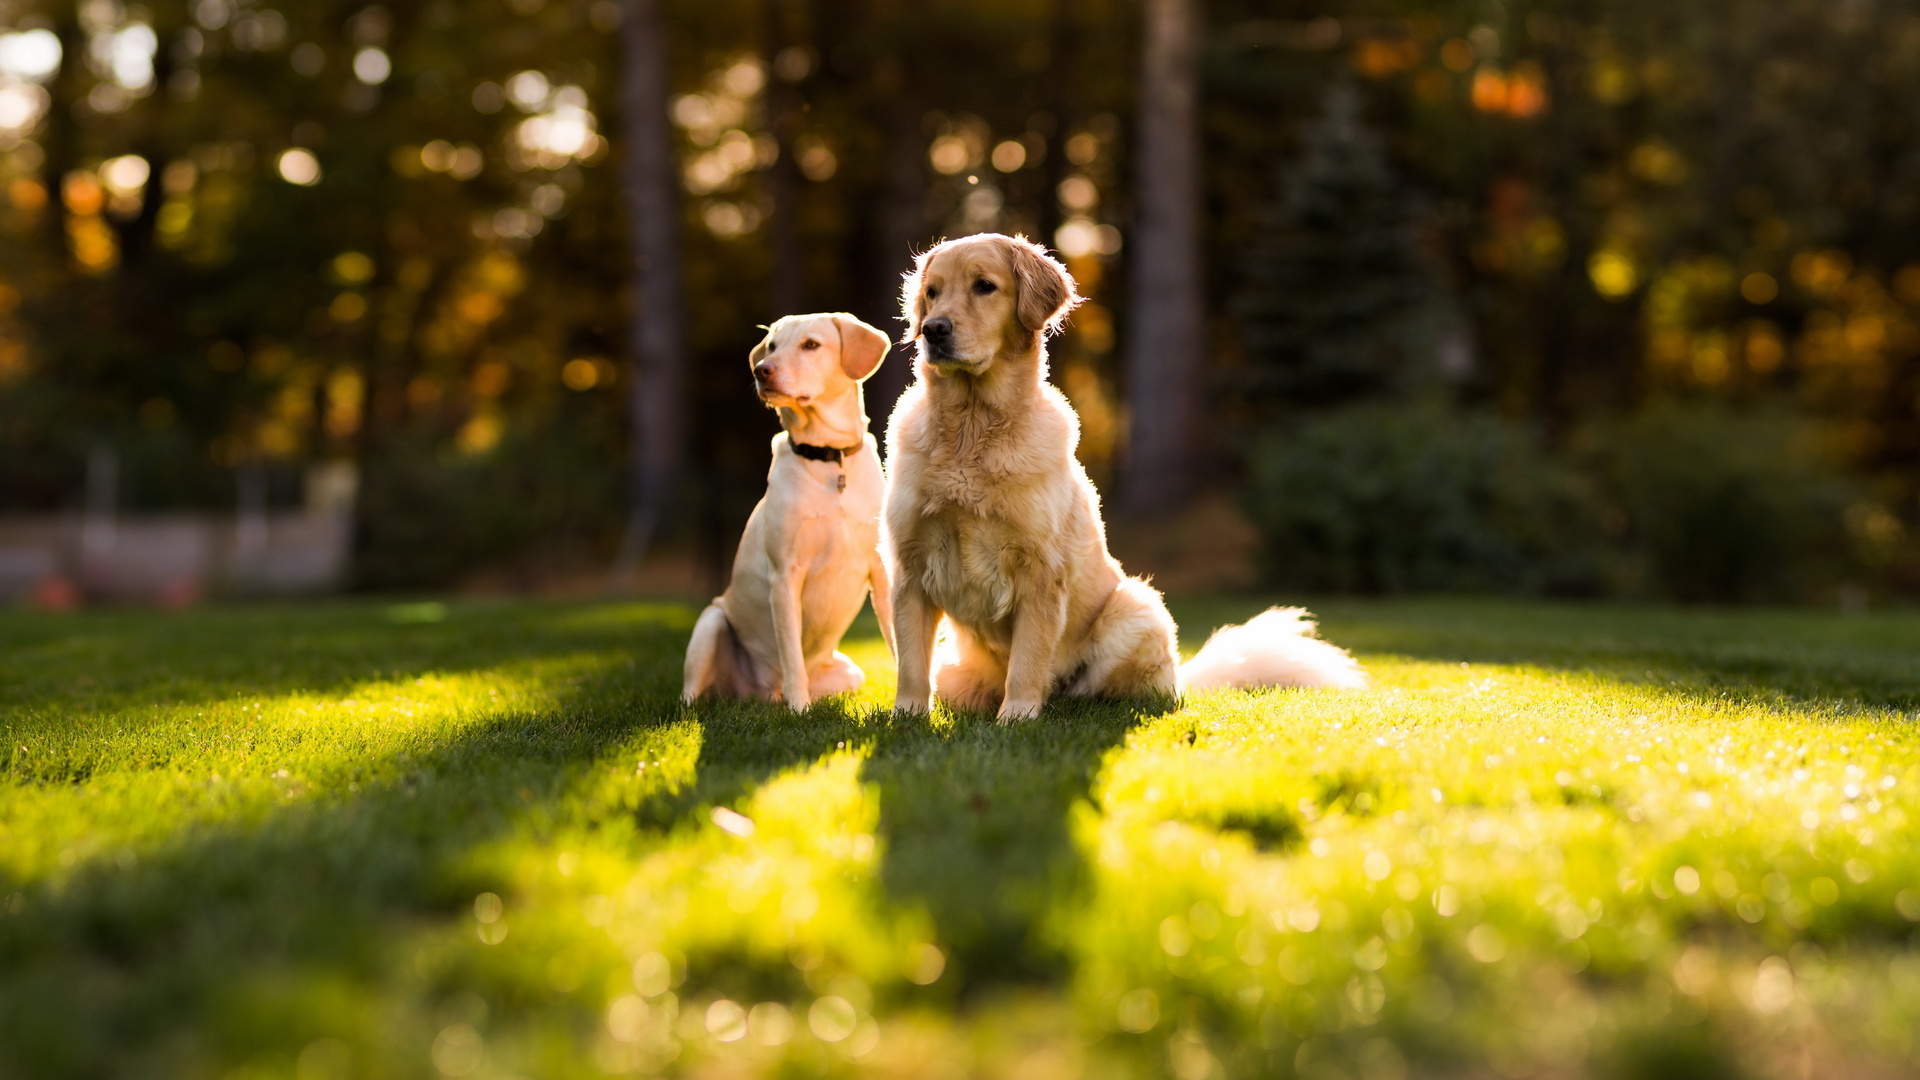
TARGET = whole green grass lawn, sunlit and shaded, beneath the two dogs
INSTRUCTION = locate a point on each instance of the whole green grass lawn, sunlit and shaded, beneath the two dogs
(364, 841)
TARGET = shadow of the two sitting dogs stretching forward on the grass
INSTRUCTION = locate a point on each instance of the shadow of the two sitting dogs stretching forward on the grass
(974, 818)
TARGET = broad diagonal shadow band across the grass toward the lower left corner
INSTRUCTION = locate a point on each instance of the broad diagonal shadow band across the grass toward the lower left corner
(141, 960)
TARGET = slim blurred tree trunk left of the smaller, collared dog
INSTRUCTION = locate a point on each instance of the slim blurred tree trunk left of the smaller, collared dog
(656, 331)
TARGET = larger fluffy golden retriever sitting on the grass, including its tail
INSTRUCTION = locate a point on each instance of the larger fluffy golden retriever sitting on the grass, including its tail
(994, 524)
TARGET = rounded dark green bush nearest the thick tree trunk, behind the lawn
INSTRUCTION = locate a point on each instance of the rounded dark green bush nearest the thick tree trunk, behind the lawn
(1414, 499)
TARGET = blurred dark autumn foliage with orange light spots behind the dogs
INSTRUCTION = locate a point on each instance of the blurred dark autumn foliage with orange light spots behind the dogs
(306, 232)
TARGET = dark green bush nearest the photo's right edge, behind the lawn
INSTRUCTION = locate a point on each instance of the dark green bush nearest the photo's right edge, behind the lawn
(1729, 506)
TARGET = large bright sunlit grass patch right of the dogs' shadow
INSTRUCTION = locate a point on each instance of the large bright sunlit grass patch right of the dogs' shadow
(1474, 841)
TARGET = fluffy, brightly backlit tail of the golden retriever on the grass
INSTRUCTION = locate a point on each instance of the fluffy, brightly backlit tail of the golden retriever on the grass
(1274, 649)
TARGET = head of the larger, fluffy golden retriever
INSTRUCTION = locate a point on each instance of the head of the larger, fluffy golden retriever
(978, 299)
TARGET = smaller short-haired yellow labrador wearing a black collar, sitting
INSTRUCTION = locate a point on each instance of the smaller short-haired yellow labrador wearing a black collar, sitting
(811, 549)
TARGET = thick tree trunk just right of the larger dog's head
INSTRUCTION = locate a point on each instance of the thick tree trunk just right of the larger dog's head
(1166, 347)
